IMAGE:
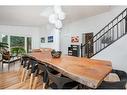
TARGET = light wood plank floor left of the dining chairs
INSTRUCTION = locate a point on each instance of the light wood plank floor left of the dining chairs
(11, 80)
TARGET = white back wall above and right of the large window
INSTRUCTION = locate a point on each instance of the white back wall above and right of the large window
(22, 31)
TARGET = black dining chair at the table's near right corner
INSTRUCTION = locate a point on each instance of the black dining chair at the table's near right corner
(117, 84)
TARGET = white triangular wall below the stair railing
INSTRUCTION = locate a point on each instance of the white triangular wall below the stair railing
(117, 53)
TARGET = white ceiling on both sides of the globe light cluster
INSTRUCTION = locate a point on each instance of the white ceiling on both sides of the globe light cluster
(33, 15)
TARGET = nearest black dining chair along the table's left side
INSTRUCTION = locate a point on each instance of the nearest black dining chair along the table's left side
(60, 81)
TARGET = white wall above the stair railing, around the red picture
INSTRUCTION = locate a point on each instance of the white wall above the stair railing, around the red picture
(91, 24)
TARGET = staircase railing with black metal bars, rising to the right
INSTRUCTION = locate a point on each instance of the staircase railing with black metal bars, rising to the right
(112, 32)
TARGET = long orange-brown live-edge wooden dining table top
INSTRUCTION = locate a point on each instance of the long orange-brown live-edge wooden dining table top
(89, 72)
